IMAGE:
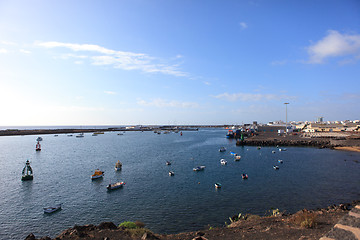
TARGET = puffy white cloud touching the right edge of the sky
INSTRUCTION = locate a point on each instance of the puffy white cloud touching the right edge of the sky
(334, 44)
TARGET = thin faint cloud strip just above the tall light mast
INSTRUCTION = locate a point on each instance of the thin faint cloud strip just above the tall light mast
(251, 97)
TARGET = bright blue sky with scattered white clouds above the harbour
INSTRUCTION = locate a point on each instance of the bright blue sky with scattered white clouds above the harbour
(141, 62)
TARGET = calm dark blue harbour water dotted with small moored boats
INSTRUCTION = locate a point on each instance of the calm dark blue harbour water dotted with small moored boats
(308, 178)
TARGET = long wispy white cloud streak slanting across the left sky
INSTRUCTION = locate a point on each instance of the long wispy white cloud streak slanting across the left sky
(99, 55)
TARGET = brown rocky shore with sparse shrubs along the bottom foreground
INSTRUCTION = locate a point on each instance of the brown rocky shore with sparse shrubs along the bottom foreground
(305, 224)
